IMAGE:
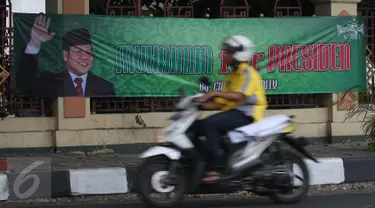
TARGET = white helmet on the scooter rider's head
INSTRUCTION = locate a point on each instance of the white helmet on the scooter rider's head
(241, 47)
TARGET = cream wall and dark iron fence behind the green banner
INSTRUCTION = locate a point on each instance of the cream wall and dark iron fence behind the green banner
(71, 123)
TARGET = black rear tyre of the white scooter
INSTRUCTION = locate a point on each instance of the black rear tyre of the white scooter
(290, 198)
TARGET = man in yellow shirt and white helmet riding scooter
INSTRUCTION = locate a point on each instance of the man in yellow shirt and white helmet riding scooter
(242, 100)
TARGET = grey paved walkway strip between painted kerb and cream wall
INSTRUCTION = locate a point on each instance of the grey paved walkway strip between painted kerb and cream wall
(63, 161)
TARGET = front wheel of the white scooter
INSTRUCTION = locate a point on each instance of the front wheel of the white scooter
(152, 187)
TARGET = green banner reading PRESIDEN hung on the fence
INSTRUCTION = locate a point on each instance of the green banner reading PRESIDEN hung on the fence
(89, 55)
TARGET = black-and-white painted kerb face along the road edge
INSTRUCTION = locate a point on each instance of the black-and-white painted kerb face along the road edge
(118, 180)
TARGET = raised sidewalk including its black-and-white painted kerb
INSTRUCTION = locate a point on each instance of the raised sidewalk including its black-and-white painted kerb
(108, 173)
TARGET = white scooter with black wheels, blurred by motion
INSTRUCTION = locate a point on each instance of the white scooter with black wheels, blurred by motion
(175, 167)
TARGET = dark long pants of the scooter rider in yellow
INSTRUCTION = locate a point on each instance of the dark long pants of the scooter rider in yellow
(213, 127)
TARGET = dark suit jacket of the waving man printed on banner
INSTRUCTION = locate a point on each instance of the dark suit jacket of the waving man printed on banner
(50, 84)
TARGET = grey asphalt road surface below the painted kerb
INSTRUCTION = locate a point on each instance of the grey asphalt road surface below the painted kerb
(353, 200)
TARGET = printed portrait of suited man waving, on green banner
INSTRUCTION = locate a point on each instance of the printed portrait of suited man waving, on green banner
(75, 80)
